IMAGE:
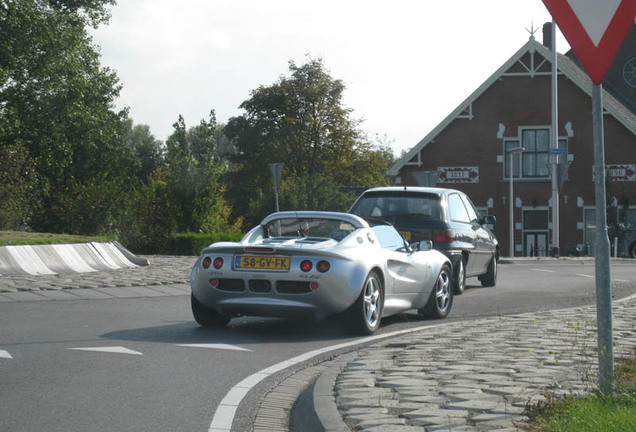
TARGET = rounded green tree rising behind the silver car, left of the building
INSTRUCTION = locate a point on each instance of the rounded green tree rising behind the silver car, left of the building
(301, 122)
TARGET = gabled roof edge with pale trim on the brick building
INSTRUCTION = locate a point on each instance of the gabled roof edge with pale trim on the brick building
(566, 66)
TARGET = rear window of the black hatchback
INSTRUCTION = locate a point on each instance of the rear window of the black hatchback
(398, 205)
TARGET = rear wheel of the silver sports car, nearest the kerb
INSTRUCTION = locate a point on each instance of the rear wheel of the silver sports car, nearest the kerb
(366, 312)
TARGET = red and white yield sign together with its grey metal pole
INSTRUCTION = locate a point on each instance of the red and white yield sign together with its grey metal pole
(595, 30)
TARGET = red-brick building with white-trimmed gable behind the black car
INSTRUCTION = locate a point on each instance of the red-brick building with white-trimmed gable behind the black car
(469, 149)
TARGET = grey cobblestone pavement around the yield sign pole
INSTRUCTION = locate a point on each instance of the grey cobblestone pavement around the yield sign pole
(479, 377)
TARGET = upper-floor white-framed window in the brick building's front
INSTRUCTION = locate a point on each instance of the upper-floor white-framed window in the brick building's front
(535, 159)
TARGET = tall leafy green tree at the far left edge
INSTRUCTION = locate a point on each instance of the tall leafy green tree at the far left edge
(56, 106)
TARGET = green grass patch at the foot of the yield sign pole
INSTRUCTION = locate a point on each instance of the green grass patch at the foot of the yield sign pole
(594, 413)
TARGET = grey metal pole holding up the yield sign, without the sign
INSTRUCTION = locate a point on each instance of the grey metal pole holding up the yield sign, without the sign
(602, 252)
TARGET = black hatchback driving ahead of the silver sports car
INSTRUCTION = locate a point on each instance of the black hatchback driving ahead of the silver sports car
(447, 217)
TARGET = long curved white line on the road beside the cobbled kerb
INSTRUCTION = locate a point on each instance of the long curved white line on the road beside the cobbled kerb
(225, 412)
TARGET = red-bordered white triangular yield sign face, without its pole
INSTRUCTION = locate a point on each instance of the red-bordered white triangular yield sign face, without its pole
(594, 29)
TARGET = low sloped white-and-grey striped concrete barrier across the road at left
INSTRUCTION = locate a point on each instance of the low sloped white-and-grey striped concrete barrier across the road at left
(66, 258)
